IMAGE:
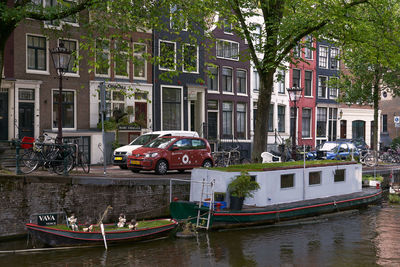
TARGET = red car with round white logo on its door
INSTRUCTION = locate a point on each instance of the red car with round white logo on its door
(171, 153)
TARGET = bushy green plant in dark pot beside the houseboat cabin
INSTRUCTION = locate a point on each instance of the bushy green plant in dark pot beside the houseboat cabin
(239, 188)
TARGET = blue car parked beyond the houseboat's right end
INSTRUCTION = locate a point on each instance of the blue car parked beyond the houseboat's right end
(334, 150)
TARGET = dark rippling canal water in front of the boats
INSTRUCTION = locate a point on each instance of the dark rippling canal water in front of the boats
(369, 237)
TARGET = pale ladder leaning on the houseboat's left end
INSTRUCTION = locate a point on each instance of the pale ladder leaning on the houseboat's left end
(207, 196)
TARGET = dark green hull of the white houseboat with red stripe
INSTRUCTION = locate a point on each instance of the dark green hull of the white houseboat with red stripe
(185, 210)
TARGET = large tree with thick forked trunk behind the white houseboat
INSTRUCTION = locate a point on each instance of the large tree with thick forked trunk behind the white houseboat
(284, 25)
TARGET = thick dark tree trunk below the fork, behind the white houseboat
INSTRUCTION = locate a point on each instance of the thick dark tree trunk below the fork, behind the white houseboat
(263, 104)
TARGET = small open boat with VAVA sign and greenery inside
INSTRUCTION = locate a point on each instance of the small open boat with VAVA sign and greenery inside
(60, 235)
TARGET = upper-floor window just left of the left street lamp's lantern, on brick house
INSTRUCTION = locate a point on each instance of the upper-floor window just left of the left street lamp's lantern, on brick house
(37, 53)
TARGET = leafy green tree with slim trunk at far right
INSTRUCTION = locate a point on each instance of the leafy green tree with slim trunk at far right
(371, 53)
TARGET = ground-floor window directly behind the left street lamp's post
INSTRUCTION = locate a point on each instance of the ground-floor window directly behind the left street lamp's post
(68, 109)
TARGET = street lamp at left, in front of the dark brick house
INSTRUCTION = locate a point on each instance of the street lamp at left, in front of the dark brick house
(61, 57)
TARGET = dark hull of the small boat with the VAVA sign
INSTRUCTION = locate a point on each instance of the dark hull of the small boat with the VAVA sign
(55, 238)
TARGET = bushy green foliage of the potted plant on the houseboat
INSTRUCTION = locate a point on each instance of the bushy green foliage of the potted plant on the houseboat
(242, 186)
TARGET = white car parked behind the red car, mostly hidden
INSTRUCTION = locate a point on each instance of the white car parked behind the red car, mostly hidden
(120, 154)
